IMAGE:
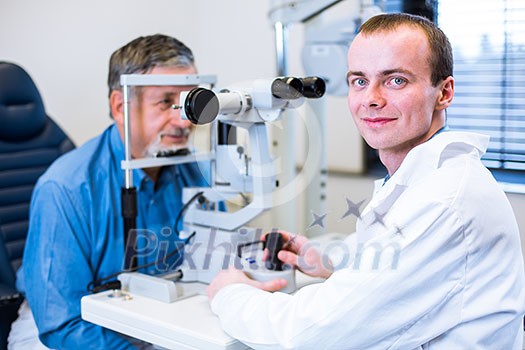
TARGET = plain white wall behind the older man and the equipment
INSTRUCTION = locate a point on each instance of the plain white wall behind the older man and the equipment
(65, 46)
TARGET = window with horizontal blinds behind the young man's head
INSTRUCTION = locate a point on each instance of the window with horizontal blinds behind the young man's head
(488, 40)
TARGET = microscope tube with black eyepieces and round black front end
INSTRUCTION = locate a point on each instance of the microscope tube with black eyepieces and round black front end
(201, 106)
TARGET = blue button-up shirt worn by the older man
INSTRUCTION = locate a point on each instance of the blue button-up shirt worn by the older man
(76, 235)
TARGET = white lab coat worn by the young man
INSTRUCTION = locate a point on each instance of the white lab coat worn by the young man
(448, 275)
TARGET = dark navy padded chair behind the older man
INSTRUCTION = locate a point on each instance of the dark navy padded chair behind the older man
(29, 142)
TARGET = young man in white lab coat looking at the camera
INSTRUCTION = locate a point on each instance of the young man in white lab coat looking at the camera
(455, 277)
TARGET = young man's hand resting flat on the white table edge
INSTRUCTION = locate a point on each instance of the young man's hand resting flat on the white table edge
(232, 275)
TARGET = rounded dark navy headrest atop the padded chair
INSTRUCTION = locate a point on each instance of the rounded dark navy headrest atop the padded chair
(22, 113)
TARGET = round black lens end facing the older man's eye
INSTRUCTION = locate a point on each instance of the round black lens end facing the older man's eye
(201, 106)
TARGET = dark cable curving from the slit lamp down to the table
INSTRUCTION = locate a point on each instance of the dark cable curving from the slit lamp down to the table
(95, 286)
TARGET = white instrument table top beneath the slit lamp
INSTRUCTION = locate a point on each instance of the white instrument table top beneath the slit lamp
(184, 324)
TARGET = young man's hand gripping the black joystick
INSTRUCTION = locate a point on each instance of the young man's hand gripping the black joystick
(298, 251)
